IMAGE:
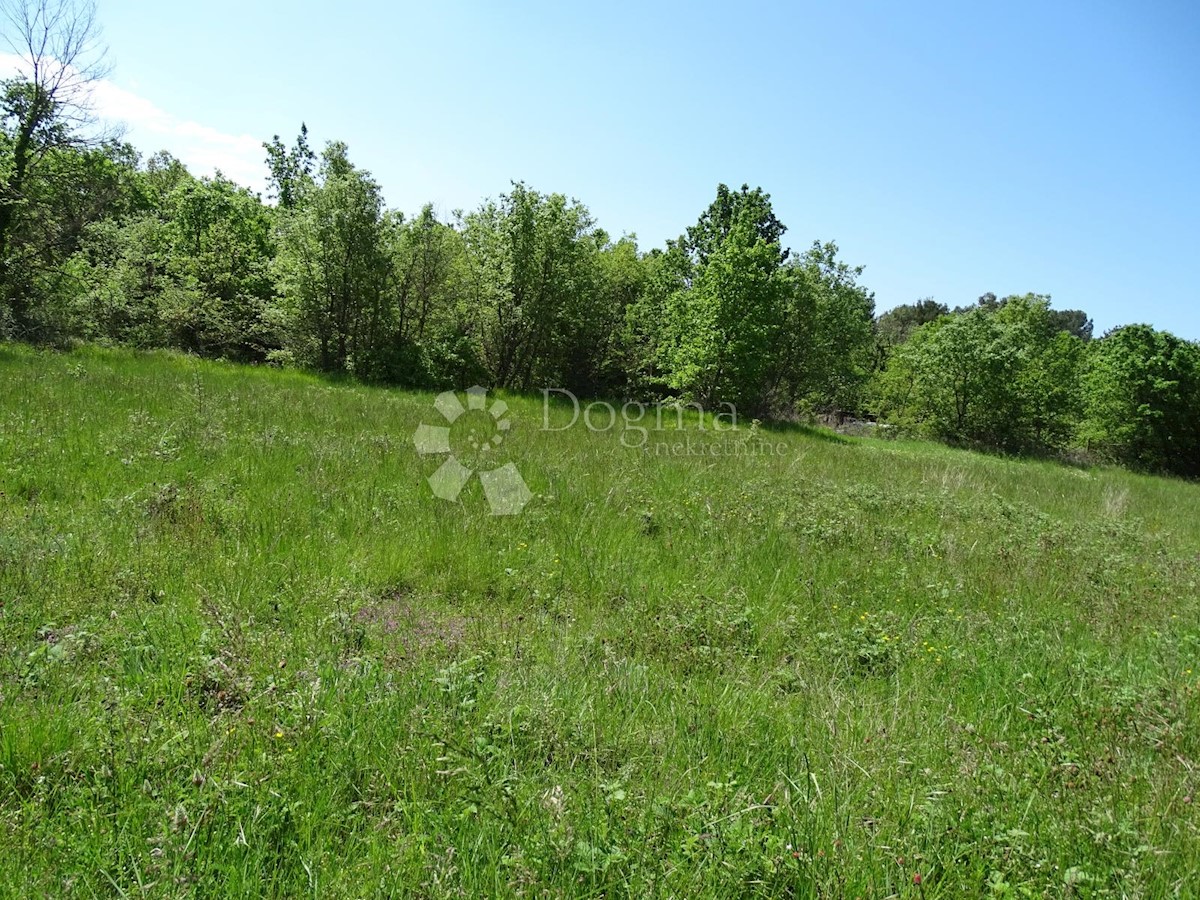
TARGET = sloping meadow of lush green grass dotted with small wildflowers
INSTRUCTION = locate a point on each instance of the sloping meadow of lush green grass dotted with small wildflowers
(244, 651)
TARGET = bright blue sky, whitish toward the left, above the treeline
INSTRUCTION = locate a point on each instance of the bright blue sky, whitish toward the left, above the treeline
(950, 148)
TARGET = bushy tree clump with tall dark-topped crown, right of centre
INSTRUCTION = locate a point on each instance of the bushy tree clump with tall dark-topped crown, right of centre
(729, 317)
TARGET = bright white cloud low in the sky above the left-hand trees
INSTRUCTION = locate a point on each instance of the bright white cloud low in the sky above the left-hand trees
(202, 148)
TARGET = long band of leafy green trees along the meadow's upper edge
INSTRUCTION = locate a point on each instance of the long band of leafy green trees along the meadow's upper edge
(527, 292)
